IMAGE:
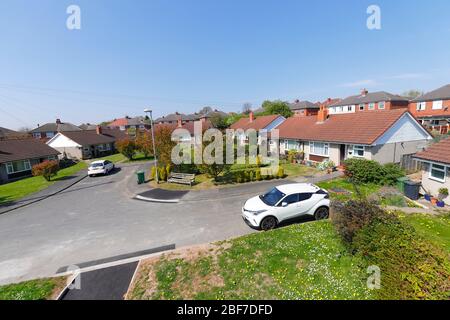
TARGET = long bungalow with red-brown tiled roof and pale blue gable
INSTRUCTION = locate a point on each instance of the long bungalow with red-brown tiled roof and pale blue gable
(384, 136)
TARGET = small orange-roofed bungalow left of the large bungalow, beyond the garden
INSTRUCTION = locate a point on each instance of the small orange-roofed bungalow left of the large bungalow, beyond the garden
(260, 123)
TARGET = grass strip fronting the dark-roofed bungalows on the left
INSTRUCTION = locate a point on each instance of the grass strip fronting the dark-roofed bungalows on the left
(16, 190)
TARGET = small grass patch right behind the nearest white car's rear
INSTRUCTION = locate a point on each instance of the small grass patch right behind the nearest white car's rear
(349, 191)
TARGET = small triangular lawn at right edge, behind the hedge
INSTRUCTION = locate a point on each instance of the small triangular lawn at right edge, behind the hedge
(433, 228)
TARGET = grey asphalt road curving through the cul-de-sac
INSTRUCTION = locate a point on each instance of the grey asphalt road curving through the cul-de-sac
(97, 219)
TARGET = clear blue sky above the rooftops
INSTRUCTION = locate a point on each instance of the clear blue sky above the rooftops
(183, 55)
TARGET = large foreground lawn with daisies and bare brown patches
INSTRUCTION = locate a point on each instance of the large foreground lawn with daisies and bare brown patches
(306, 261)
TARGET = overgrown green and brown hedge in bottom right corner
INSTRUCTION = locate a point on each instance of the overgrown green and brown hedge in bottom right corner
(411, 267)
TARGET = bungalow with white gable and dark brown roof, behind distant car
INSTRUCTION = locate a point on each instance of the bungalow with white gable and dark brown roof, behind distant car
(83, 144)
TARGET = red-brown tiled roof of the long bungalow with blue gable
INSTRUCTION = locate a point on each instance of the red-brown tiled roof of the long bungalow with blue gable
(361, 128)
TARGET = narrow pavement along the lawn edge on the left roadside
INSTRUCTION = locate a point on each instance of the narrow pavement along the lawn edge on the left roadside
(52, 190)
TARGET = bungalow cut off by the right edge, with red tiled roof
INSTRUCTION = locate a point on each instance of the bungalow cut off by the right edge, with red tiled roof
(436, 169)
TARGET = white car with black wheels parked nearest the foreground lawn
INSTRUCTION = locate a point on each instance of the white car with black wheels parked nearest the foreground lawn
(286, 202)
